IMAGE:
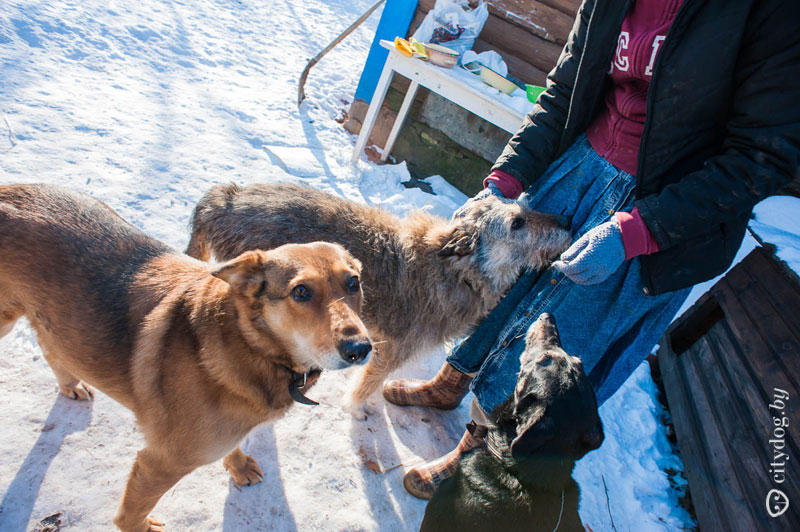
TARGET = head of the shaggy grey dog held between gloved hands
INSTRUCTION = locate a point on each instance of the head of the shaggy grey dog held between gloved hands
(503, 237)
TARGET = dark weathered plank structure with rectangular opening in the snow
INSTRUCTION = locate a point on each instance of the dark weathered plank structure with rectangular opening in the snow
(724, 362)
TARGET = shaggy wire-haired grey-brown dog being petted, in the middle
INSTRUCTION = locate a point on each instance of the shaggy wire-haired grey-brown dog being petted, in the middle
(426, 280)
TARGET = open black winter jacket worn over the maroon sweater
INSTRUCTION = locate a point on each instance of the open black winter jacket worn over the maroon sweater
(722, 129)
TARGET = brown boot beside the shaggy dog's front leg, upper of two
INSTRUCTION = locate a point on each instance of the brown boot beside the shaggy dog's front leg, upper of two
(444, 391)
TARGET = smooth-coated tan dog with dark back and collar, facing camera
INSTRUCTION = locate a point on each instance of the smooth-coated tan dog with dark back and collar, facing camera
(200, 354)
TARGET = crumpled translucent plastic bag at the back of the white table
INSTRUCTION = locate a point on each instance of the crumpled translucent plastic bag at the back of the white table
(453, 24)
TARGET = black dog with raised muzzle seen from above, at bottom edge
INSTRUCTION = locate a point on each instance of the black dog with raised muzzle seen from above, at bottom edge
(522, 480)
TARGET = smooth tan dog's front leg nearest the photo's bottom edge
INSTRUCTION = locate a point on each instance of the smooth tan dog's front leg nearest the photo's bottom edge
(152, 475)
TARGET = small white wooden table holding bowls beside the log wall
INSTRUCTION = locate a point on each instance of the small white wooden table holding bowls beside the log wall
(442, 81)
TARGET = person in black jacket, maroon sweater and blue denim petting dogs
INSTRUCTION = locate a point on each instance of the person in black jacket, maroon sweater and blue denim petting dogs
(664, 122)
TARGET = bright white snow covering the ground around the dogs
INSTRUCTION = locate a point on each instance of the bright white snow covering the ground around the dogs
(146, 105)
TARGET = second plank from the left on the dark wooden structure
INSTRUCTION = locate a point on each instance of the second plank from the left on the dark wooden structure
(725, 484)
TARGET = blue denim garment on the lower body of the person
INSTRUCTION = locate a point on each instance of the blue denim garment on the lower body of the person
(611, 326)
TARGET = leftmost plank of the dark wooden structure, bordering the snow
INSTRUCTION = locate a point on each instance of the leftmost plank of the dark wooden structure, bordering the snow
(694, 460)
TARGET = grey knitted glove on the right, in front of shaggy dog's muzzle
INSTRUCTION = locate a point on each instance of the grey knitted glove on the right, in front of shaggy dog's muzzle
(595, 256)
